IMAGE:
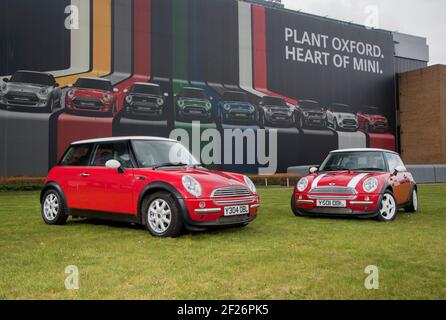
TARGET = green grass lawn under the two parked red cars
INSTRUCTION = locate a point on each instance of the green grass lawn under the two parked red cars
(278, 256)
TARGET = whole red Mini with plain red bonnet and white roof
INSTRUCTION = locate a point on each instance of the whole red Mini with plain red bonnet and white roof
(151, 181)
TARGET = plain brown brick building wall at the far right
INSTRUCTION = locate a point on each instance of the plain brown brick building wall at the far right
(423, 115)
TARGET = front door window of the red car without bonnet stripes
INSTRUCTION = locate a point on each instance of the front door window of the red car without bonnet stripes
(112, 151)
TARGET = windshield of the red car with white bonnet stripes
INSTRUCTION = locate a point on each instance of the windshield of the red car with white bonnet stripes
(354, 161)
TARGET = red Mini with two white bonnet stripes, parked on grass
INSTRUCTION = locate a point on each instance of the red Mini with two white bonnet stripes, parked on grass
(363, 183)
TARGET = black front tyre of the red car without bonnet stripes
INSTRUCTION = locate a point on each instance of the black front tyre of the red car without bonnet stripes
(176, 224)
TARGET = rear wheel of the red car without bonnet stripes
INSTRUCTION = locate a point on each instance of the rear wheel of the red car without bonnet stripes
(57, 217)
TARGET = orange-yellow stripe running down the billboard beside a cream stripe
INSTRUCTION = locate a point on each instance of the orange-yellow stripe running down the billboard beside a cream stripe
(102, 32)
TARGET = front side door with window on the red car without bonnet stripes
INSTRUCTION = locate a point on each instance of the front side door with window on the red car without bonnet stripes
(110, 190)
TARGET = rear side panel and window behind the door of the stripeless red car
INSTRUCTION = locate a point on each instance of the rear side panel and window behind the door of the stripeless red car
(74, 163)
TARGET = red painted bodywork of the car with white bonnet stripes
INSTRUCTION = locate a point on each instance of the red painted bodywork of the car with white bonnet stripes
(347, 186)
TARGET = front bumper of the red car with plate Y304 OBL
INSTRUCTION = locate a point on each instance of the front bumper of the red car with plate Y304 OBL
(200, 214)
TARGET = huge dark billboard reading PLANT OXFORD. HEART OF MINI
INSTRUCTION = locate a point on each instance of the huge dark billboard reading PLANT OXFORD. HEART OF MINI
(245, 87)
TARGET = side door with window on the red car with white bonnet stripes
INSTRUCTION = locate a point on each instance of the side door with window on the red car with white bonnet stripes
(400, 181)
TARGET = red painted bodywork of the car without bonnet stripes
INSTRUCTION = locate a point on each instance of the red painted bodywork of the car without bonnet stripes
(107, 191)
